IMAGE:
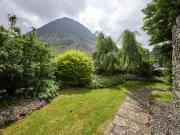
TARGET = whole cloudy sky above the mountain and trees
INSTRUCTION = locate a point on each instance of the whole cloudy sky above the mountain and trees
(109, 16)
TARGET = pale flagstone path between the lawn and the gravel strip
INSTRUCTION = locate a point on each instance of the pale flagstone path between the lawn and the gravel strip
(133, 116)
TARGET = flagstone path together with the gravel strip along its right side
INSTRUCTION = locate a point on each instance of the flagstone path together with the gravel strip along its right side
(139, 115)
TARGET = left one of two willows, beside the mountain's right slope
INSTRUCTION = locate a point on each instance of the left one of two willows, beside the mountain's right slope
(105, 56)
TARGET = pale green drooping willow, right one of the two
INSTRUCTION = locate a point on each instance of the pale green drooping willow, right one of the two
(130, 54)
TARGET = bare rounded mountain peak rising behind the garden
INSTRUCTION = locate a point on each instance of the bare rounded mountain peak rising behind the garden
(66, 33)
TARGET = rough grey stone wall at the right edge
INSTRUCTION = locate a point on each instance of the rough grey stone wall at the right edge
(176, 57)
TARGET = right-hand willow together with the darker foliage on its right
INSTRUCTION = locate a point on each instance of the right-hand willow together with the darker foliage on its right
(133, 58)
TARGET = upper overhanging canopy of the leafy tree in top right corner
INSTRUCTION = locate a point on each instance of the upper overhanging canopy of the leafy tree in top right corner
(160, 16)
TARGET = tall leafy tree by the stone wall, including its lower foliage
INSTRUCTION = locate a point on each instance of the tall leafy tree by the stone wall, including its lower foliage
(160, 16)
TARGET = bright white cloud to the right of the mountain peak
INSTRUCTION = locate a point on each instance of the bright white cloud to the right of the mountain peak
(112, 17)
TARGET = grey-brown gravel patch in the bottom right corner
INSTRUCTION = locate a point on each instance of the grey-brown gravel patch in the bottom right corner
(165, 118)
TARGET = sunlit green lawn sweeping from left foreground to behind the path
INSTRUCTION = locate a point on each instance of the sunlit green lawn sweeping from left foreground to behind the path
(76, 112)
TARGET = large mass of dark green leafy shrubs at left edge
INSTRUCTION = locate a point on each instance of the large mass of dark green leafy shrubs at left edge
(24, 59)
